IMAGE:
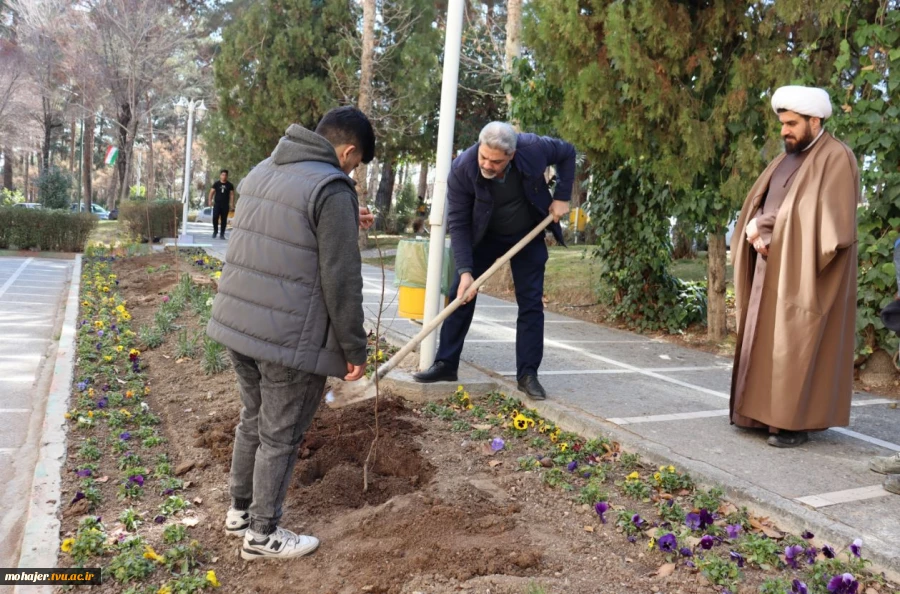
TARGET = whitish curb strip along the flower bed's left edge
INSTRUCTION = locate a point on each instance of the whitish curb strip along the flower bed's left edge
(40, 543)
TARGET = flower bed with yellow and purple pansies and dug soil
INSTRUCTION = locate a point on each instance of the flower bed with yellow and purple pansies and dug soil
(468, 495)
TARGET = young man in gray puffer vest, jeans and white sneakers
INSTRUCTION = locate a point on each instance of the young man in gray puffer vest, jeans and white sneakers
(289, 310)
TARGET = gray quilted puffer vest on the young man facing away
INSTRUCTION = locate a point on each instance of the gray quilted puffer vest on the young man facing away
(270, 305)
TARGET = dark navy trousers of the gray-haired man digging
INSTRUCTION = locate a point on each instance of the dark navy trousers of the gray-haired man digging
(528, 277)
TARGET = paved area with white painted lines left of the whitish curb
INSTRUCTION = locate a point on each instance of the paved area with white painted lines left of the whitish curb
(32, 301)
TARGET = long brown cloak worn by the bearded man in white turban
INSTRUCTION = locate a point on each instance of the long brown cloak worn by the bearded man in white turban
(800, 374)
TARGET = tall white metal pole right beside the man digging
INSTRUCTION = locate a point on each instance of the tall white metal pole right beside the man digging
(438, 218)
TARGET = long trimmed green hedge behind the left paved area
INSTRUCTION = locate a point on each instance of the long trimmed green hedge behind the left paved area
(44, 229)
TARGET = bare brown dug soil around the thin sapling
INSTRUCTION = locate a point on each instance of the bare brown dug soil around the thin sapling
(440, 514)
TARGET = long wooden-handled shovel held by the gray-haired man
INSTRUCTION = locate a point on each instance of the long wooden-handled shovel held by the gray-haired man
(347, 393)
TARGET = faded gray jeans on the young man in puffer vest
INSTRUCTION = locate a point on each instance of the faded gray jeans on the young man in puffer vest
(279, 404)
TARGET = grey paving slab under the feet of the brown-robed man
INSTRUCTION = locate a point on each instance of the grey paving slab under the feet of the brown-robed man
(829, 462)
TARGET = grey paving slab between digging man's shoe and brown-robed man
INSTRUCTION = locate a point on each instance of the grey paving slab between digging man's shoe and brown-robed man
(627, 395)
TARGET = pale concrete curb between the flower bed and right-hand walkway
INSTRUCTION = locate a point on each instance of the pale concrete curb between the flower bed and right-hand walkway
(789, 515)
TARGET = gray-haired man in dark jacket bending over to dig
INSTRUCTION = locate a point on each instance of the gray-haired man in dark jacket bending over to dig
(496, 195)
